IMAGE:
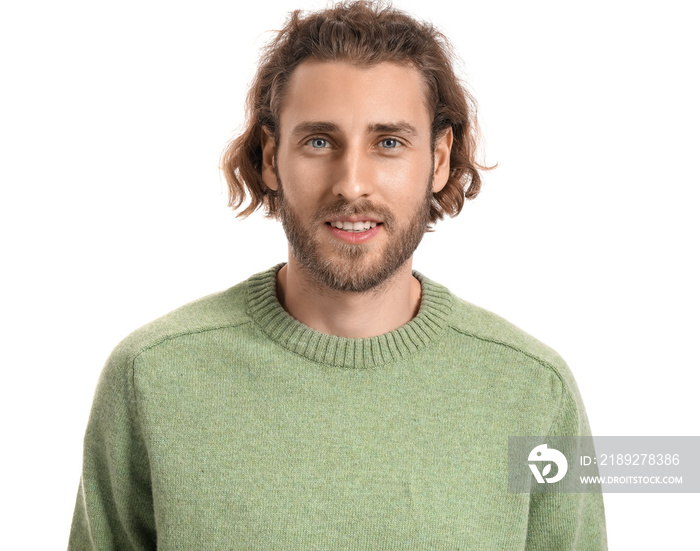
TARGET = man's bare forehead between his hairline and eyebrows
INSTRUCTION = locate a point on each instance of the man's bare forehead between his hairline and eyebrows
(353, 96)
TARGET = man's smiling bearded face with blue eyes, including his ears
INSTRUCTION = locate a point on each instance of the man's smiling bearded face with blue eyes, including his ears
(354, 151)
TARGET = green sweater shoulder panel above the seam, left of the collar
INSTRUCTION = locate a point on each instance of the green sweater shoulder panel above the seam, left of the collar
(216, 311)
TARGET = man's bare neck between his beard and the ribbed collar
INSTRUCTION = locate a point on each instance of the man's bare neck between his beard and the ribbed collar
(349, 314)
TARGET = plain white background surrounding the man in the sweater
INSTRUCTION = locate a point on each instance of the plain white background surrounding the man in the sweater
(112, 119)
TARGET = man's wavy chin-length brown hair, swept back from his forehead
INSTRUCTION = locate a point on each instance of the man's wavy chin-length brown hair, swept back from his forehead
(365, 34)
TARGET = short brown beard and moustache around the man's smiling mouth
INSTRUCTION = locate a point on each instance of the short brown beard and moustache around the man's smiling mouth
(350, 268)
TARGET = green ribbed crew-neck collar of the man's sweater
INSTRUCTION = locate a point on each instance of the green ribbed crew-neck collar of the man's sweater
(271, 317)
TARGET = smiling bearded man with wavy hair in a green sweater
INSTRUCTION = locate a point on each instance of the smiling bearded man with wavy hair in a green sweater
(339, 400)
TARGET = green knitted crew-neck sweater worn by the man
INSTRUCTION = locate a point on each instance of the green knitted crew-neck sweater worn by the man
(227, 424)
